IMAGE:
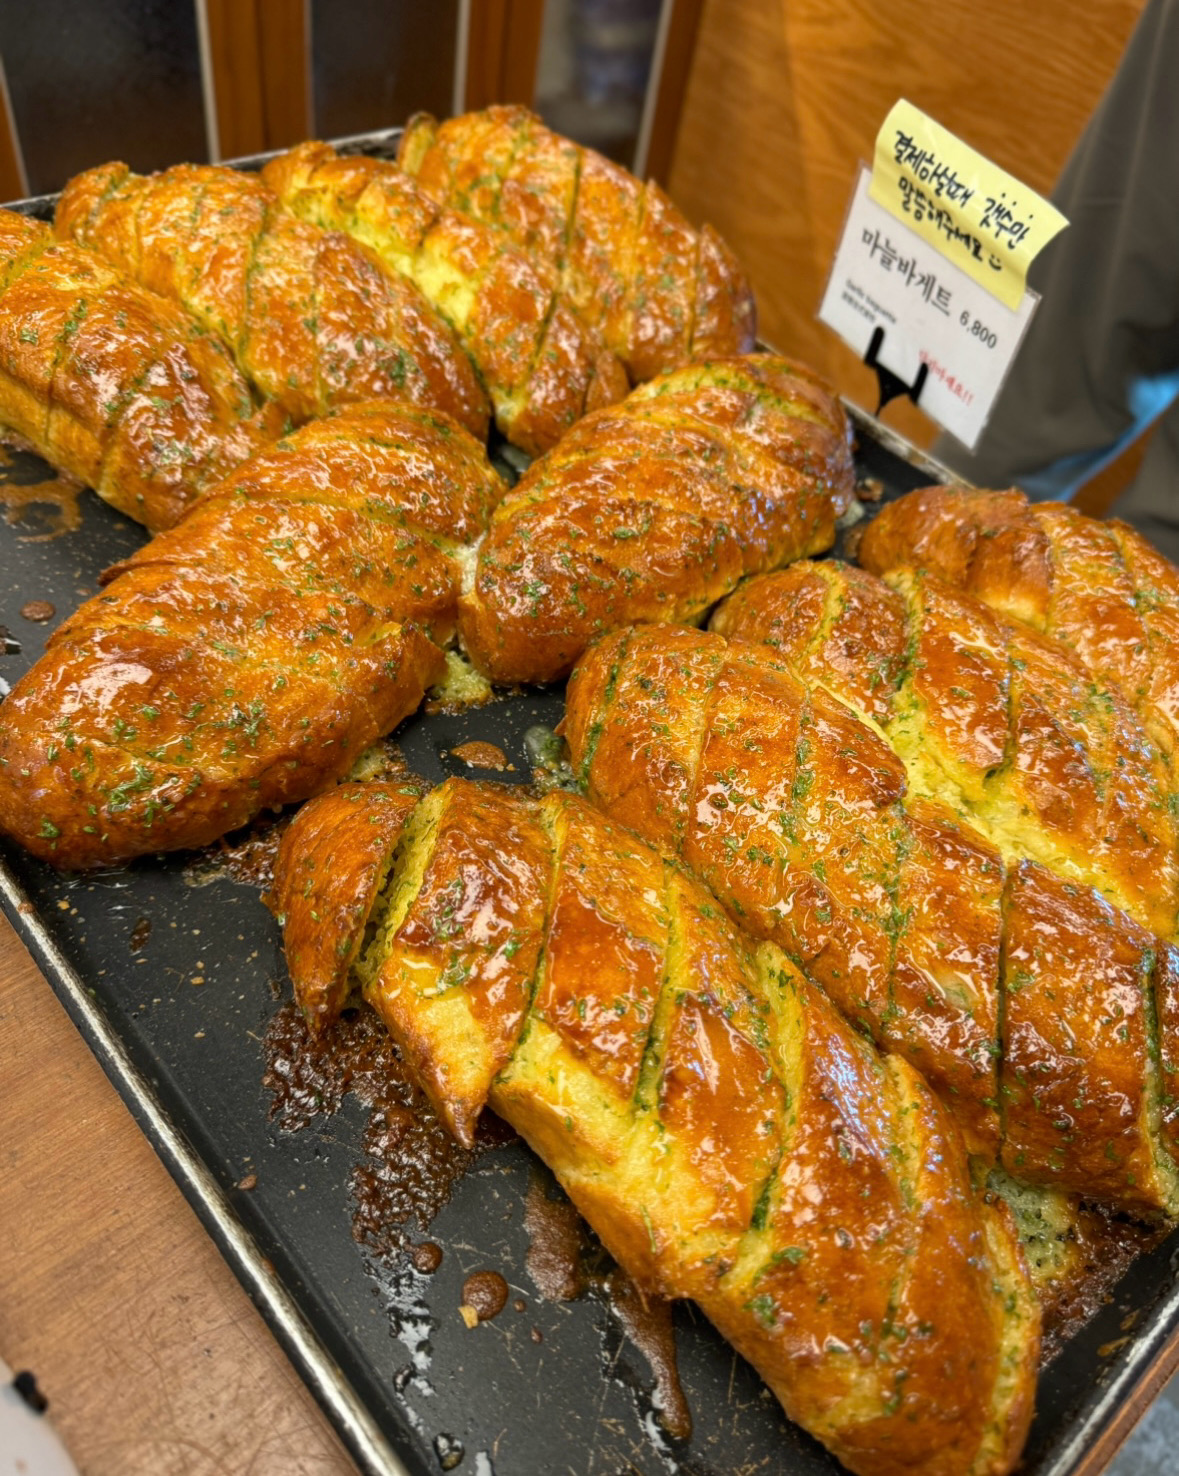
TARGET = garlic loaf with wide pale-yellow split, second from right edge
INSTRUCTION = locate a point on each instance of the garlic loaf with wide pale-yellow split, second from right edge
(989, 717)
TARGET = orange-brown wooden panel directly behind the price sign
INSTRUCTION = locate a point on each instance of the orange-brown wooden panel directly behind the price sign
(786, 98)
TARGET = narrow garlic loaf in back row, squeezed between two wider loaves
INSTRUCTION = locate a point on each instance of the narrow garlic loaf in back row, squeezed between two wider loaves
(541, 365)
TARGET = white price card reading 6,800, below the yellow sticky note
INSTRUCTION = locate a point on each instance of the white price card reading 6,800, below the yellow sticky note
(888, 277)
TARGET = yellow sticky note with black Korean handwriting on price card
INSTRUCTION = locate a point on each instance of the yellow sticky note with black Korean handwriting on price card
(979, 216)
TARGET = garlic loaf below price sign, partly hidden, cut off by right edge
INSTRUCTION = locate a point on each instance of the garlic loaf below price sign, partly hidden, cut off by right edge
(1097, 587)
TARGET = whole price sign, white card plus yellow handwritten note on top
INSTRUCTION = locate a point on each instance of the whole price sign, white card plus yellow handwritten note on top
(932, 268)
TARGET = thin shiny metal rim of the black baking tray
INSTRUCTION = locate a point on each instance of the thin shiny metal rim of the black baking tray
(1085, 1452)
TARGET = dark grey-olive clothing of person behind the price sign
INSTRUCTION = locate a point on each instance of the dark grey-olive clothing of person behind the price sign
(1102, 358)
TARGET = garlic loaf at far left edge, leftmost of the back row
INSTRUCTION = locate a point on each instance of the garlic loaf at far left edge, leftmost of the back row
(111, 384)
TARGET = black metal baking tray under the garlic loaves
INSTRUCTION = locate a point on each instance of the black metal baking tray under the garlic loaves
(384, 1350)
